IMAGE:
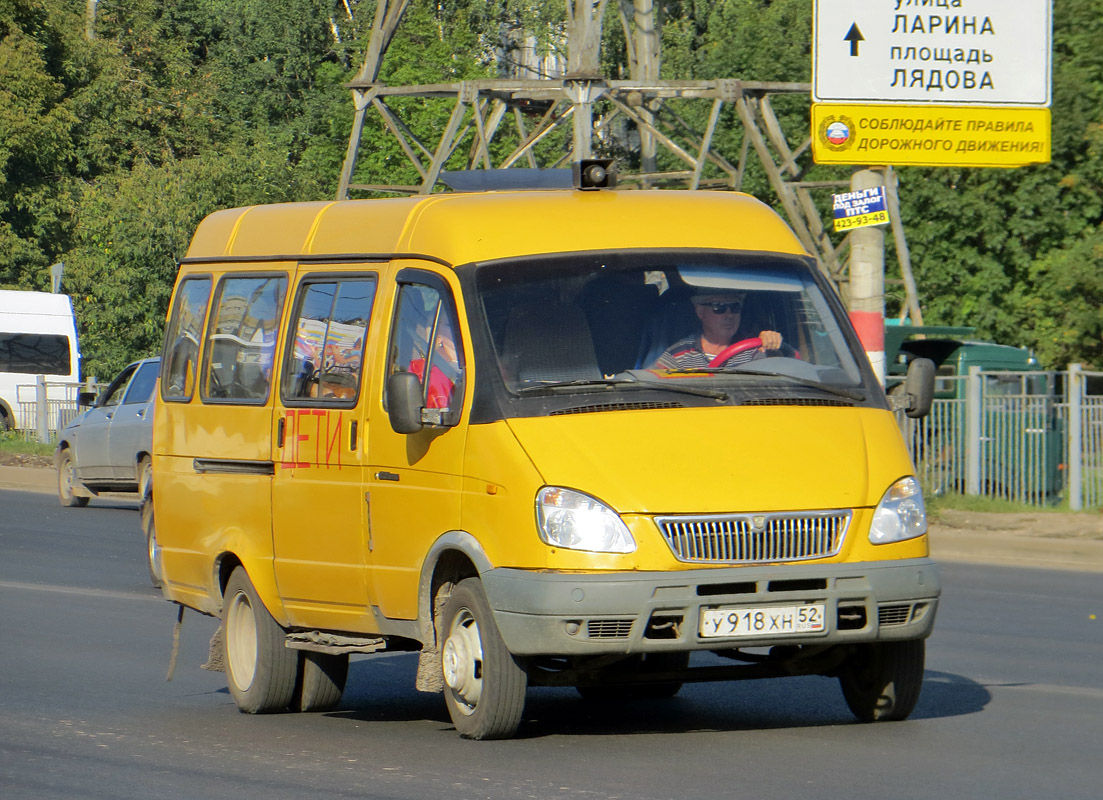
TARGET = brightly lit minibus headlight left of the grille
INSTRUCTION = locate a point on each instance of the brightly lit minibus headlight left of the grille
(576, 521)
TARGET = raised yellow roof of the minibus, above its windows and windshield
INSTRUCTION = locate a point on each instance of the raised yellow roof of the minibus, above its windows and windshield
(457, 229)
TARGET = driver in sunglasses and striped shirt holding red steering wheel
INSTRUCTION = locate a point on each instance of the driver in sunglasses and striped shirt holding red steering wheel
(721, 314)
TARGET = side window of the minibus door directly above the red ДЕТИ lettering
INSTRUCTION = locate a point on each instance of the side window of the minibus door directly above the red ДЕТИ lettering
(325, 364)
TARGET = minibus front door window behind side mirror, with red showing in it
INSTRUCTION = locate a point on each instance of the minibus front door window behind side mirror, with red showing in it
(426, 330)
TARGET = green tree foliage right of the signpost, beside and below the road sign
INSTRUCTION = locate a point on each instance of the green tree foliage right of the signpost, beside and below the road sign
(1001, 249)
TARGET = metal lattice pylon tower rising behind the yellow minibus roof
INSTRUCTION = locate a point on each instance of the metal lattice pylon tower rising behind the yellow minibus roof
(485, 112)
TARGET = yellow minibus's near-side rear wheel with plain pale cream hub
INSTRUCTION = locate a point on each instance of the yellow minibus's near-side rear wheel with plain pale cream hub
(261, 673)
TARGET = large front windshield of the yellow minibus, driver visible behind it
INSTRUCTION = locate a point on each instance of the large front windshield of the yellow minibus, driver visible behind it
(701, 322)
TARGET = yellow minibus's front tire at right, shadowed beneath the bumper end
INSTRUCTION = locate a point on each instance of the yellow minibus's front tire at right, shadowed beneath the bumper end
(882, 681)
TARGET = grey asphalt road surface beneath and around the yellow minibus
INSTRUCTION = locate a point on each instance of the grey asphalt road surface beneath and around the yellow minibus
(1012, 708)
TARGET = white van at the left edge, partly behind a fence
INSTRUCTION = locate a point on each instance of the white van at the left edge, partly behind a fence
(38, 337)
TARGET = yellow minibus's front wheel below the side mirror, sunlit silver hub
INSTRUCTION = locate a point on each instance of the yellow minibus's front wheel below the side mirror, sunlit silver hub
(485, 686)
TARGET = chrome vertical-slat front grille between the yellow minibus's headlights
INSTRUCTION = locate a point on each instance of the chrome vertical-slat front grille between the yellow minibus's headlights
(755, 539)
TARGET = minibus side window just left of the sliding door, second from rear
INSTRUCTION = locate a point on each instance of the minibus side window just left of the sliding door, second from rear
(241, 346)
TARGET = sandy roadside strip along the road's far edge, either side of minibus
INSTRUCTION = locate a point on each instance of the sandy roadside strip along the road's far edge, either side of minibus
(948, 545)
